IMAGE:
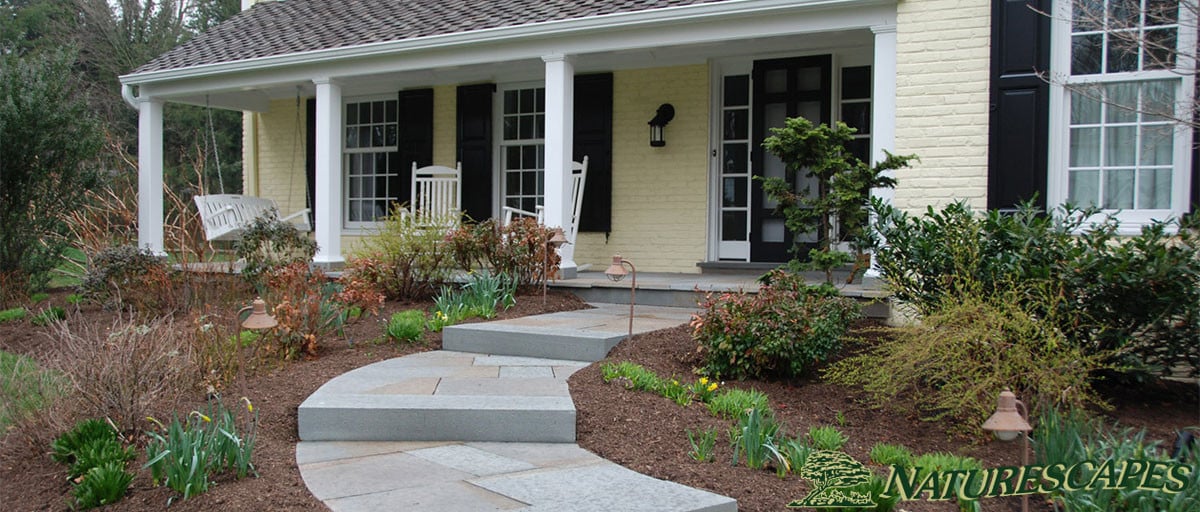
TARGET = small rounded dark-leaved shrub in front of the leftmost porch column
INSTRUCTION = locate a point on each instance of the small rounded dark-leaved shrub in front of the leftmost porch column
(128, 276)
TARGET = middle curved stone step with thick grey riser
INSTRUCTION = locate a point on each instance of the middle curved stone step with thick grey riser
(446, 396)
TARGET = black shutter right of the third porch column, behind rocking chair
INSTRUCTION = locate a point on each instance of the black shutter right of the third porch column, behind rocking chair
(593, 138)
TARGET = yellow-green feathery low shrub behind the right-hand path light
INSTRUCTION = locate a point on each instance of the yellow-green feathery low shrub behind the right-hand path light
(951, 366)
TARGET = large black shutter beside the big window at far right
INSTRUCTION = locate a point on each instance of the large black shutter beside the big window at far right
(1021, 104)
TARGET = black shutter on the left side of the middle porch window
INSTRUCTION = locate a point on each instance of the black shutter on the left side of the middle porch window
(475, 111)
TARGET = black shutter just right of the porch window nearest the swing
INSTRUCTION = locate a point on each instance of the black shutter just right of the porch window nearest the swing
(416, 140)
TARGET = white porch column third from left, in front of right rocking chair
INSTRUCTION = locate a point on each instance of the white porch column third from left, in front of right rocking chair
(560, 142)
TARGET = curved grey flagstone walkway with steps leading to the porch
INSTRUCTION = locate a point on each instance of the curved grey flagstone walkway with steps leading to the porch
(454, 431)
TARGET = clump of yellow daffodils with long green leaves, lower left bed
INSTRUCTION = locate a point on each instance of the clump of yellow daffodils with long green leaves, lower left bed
(185, 456)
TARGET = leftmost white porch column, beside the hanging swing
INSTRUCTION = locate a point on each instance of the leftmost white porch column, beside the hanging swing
(151, 176)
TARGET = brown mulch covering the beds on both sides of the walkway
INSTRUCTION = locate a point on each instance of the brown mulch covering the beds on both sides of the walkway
(641, 431)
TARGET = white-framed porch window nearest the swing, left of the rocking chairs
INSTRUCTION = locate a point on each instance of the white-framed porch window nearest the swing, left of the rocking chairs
(373, 167)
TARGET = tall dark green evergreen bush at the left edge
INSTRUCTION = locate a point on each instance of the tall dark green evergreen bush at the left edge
(51, 142)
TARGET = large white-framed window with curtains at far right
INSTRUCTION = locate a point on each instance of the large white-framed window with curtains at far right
(1121, 81)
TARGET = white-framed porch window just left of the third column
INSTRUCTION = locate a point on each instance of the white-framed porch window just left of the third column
(523, 146)
